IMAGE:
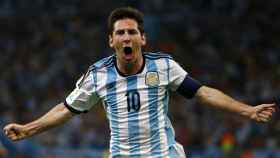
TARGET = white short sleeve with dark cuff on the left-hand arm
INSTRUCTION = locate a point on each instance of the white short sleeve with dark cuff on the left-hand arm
(84, 96)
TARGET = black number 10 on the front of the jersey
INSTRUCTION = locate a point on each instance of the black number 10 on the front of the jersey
(133, 101)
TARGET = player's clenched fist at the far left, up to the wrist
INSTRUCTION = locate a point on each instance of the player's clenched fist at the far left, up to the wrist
(16, 131)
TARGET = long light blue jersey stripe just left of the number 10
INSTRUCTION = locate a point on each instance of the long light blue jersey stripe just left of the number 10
(111, 101)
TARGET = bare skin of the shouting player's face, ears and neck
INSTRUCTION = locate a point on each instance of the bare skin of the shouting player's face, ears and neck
(127, 34)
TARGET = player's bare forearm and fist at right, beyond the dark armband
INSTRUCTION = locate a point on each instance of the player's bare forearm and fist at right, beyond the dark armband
(216, 98)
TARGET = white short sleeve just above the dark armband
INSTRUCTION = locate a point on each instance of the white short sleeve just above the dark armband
(176, 75)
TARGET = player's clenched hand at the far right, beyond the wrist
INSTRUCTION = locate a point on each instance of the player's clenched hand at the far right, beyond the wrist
(262, 113)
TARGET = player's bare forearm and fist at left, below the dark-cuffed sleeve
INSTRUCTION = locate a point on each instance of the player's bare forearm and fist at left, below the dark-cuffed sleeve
(56, 116)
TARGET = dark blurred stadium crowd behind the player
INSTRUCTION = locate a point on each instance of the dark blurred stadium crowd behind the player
(231, 45)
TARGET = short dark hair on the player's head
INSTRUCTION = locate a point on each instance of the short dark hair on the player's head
(123, 13)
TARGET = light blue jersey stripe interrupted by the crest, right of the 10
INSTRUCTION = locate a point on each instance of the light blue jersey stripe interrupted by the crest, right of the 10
(153, 113)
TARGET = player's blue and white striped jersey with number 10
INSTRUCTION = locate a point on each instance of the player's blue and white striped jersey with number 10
(136, 105)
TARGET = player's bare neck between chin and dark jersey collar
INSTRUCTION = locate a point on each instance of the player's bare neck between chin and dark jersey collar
(130, 68)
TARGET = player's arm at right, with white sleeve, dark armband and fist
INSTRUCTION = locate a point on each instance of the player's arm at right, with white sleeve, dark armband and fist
(188, 87)
